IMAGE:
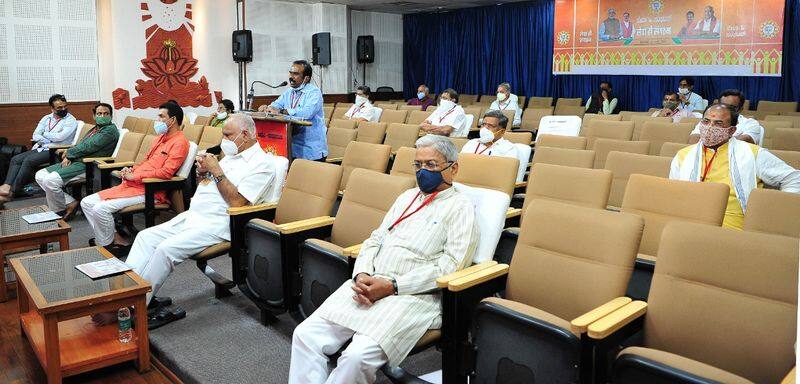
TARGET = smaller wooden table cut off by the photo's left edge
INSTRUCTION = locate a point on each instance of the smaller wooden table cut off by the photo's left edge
(16, 235)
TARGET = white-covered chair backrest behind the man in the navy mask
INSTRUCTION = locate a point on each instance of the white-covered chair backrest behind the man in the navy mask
(490, 216)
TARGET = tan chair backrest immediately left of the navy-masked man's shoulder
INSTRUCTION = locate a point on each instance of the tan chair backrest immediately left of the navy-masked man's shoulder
(368, 197)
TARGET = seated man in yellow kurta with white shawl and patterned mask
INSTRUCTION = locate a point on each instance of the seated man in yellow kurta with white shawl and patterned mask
(710, 161)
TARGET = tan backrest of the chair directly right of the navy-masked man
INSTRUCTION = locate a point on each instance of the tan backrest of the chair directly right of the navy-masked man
(570, 259)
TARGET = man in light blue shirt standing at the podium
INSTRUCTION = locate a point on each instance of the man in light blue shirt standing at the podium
(303, 100)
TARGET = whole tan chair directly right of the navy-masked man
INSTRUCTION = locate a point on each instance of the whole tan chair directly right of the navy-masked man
(528, 320)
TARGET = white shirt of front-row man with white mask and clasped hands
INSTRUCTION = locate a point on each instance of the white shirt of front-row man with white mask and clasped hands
(252, 172)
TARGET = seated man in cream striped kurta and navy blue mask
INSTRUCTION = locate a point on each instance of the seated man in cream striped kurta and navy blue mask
(429, 232)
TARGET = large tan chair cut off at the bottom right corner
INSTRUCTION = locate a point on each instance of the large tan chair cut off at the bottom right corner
(722, 309)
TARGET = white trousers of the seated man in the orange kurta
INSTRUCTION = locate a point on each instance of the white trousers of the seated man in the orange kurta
(100, 214)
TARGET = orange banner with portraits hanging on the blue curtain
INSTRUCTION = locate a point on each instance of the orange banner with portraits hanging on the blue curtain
(668, 37)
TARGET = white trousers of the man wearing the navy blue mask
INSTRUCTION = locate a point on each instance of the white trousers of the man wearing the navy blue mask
(316, 338)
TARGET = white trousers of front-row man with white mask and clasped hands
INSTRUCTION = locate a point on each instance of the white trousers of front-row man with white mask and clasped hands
(157, 249)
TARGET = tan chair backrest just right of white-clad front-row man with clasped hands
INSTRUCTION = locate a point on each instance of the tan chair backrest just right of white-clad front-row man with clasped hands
(310, 191)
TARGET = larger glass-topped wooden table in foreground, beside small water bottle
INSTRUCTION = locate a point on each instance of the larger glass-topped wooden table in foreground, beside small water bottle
(55, 301)
